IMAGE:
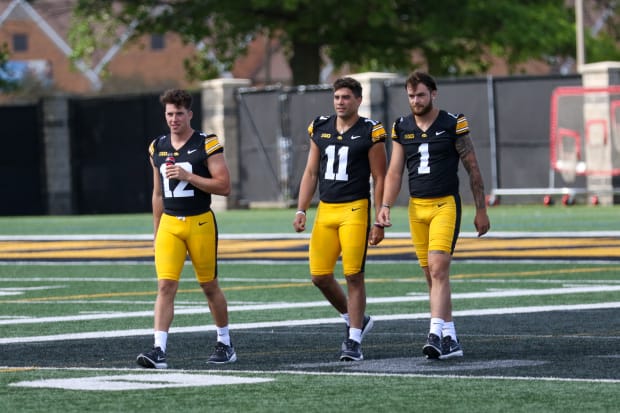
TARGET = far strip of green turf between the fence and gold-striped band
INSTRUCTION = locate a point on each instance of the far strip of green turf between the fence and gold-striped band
(503, 218)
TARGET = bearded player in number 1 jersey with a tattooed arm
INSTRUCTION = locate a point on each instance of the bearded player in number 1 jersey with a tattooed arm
(430, 142)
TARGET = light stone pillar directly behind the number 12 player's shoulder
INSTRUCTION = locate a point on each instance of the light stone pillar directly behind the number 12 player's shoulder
(219, 116)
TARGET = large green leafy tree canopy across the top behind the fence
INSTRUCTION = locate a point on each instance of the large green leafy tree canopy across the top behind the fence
(452, 37)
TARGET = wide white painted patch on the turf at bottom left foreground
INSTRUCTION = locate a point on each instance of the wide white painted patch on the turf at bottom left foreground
(145, 381)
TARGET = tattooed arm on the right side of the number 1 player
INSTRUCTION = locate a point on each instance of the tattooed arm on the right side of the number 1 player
(465, 147)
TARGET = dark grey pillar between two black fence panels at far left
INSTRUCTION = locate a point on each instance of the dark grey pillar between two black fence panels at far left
(57, 155)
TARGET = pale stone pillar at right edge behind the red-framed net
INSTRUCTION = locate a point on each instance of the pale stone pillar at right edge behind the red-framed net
(599, 142)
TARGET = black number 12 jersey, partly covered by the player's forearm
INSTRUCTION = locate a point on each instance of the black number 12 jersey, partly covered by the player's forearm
(180, 197)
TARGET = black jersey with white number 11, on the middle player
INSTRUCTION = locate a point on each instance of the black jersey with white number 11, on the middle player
(344, 170)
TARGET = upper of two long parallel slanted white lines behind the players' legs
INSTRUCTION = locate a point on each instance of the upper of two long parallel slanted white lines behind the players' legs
(312, 304)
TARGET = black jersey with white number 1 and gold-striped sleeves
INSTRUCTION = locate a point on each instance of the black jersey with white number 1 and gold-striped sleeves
(431, 156)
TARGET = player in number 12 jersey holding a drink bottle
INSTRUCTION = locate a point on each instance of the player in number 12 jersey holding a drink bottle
(188, 166)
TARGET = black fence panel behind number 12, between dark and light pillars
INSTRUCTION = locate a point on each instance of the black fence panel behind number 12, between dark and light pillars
(110, 138)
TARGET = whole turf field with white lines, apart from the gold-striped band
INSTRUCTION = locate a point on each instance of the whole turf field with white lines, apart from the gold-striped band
(538, 335)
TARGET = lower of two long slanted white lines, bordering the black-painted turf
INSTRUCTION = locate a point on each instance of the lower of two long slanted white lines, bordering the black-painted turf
(295, 323)
